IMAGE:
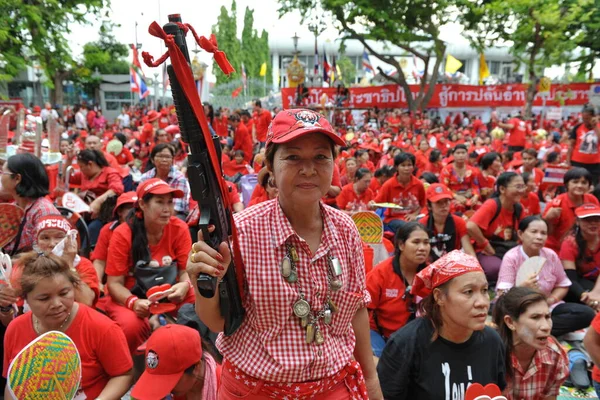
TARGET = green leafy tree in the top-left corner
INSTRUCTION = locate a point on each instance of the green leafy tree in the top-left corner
(34, 30)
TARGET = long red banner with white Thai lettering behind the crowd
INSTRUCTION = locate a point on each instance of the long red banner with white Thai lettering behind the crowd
(392, 96)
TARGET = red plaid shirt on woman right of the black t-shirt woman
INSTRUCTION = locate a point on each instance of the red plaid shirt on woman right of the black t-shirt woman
(547, 371)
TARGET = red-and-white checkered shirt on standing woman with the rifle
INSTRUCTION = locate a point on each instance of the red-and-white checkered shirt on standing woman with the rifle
(270, 344)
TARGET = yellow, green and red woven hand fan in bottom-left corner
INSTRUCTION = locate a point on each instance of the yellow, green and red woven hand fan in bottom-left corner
(49, 368)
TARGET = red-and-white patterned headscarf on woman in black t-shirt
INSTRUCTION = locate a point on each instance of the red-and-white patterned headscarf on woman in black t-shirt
(448, 267)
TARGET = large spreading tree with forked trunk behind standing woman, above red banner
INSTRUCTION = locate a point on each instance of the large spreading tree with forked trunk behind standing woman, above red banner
(412, 25)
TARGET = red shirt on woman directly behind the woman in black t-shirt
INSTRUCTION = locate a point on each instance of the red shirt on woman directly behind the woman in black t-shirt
(388, 311)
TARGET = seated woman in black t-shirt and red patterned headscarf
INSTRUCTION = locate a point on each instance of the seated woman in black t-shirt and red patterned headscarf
(438, 355)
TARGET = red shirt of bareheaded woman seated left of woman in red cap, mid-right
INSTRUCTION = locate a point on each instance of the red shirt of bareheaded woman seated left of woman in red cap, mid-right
(410, 197)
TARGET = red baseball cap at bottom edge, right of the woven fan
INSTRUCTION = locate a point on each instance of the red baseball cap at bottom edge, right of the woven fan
(169, 352)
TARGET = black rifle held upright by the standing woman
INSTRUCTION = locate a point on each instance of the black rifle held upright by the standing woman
(206, 190)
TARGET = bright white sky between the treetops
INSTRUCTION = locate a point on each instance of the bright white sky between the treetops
(202, 15)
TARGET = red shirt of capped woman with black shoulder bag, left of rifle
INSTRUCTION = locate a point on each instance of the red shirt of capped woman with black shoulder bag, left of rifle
(174, 246)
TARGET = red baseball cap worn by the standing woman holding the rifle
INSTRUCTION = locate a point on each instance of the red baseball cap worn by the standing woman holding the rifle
(291, 124)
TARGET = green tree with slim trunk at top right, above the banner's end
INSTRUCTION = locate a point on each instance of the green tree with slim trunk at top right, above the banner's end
(541, 33)
